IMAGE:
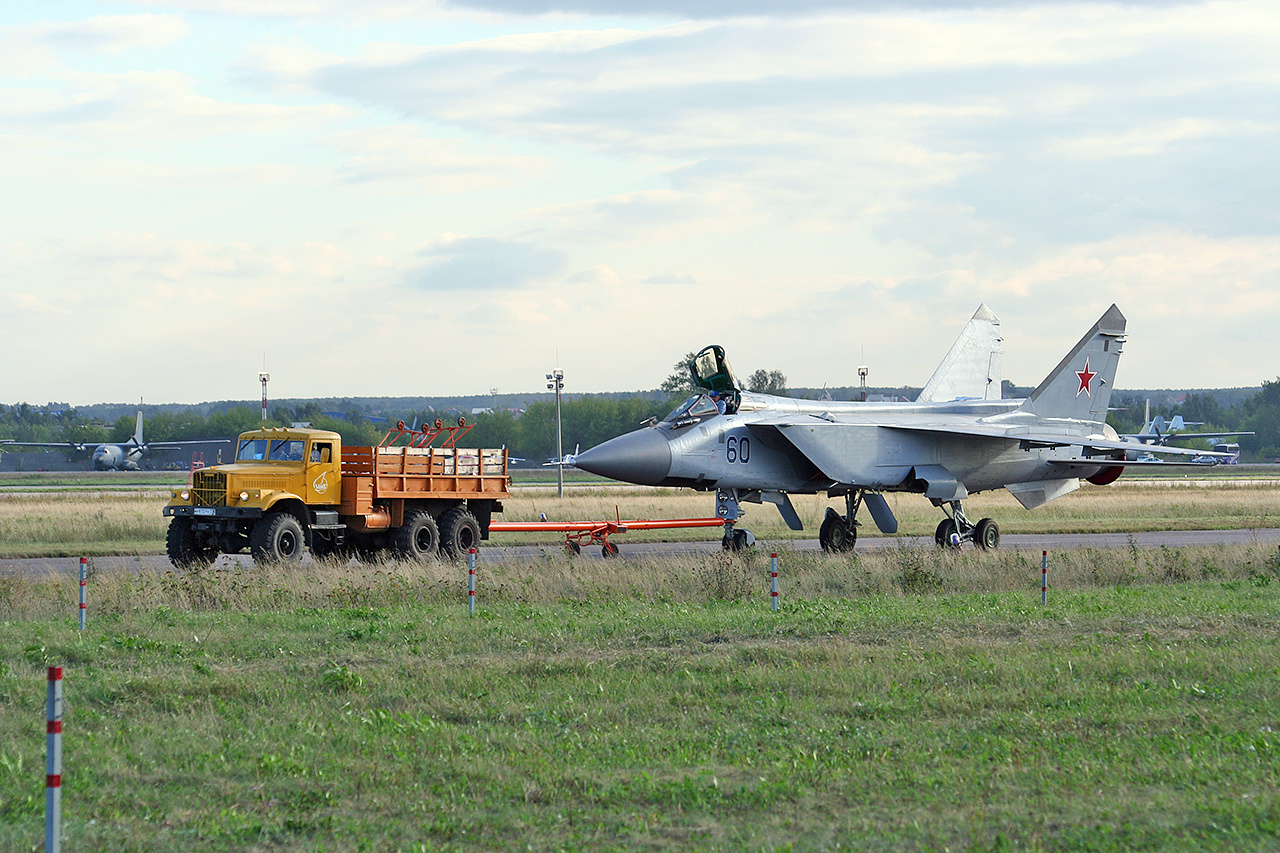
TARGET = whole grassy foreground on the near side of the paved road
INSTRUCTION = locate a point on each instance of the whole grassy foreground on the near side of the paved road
(907, 700)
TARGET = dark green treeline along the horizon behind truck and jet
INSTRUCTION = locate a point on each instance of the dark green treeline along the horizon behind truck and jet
(587, 422)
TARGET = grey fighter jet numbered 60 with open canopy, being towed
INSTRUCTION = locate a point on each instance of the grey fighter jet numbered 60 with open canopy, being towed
(958, 439)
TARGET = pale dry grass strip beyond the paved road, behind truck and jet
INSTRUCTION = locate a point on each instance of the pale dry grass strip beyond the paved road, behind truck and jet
(130, 523)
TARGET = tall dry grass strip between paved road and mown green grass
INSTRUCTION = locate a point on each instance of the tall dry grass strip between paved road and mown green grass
(559, 578)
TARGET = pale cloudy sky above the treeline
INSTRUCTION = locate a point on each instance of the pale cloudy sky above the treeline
(391, 198)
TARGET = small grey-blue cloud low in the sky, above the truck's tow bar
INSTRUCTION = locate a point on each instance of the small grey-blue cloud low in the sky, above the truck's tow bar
(465, 264)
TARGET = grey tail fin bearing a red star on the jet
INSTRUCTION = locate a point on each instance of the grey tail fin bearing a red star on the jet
(1080, 387)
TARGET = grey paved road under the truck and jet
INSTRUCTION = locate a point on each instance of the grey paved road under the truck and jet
(492, 554)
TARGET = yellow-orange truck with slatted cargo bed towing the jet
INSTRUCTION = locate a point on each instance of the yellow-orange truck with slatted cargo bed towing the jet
(294, 489)
